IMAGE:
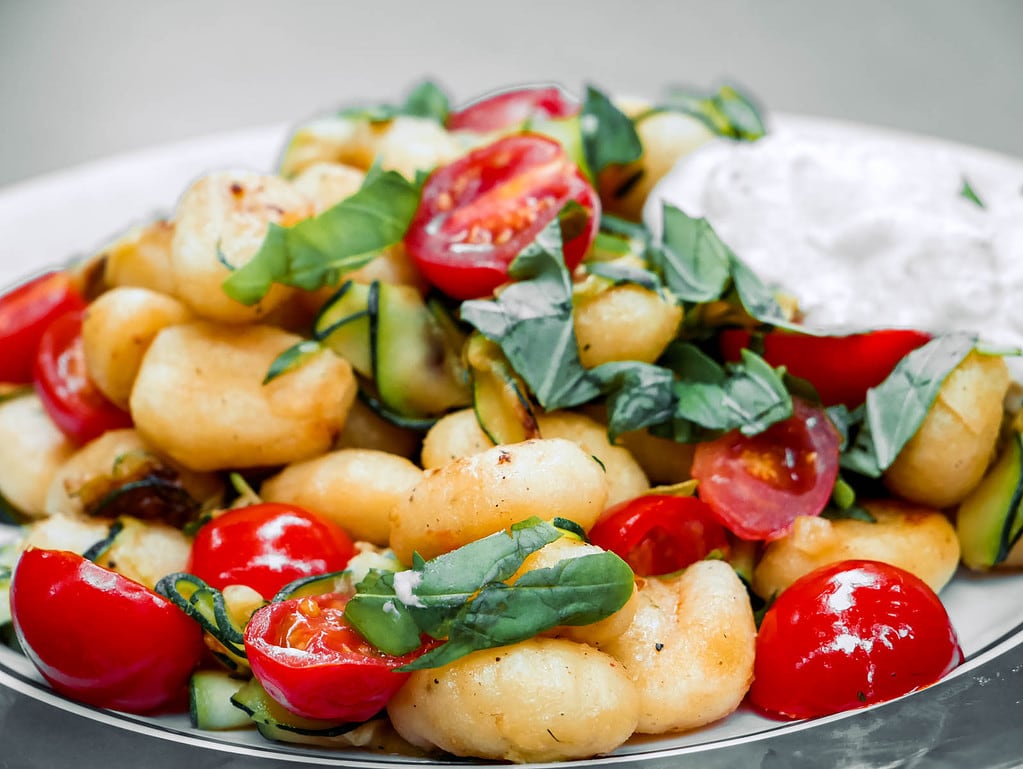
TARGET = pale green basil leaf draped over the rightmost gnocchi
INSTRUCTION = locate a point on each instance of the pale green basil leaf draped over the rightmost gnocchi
(896, 410)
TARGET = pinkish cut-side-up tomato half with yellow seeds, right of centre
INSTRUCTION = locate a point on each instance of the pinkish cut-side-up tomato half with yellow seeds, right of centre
(759, 485)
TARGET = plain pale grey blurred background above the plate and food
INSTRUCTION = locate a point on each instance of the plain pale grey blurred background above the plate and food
(81, 81)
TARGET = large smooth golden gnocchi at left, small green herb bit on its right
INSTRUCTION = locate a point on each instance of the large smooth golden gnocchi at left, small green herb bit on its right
(200, 398)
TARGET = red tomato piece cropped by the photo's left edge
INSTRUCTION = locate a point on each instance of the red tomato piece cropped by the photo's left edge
(25, 314)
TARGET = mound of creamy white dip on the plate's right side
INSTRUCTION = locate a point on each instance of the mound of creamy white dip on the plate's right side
(866, 231)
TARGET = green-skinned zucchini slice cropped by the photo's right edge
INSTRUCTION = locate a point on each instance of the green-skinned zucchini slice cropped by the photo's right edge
(990, 522)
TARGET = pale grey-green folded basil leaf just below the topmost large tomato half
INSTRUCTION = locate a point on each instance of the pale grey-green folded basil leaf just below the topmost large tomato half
(531, 322)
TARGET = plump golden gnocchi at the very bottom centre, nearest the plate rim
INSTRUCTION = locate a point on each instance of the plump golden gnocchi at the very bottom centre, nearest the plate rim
(543, 700)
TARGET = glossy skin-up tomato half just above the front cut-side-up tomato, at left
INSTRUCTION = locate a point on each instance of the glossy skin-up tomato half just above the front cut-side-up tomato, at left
(265, 547)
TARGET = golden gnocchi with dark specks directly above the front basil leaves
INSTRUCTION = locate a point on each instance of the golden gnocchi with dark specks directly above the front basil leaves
(471, 497)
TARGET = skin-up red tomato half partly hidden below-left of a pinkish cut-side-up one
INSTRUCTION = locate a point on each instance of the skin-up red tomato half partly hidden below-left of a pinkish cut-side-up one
(659, 533)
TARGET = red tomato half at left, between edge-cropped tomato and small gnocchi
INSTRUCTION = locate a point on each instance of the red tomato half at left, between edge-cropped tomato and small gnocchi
(73, 402)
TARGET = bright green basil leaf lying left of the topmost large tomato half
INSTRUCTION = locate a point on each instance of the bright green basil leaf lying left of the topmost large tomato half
(317, 252)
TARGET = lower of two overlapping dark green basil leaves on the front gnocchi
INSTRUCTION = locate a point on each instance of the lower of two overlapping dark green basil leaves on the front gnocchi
(575, 592)
